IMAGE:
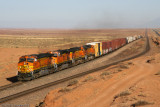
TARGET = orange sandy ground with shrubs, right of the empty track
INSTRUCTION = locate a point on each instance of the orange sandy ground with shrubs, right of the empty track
(130, 83)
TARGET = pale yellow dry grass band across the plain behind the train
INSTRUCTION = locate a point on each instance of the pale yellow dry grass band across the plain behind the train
(46, 42)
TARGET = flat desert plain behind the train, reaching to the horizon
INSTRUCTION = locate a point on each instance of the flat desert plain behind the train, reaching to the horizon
(17, 42)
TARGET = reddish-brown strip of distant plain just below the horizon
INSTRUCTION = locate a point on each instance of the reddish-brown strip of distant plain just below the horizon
(65, 32)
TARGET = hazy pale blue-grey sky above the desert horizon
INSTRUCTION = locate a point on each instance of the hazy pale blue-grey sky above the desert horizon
(79, 13)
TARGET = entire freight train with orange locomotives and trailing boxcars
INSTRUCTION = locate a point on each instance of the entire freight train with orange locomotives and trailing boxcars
(36, 65)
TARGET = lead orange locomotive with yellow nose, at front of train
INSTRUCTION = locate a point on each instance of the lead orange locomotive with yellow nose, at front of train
(33, 66)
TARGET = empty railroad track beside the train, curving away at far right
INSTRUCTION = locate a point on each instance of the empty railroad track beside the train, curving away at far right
(14, 96)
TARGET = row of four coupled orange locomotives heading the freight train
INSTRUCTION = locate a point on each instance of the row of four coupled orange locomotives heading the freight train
(36, 65)
